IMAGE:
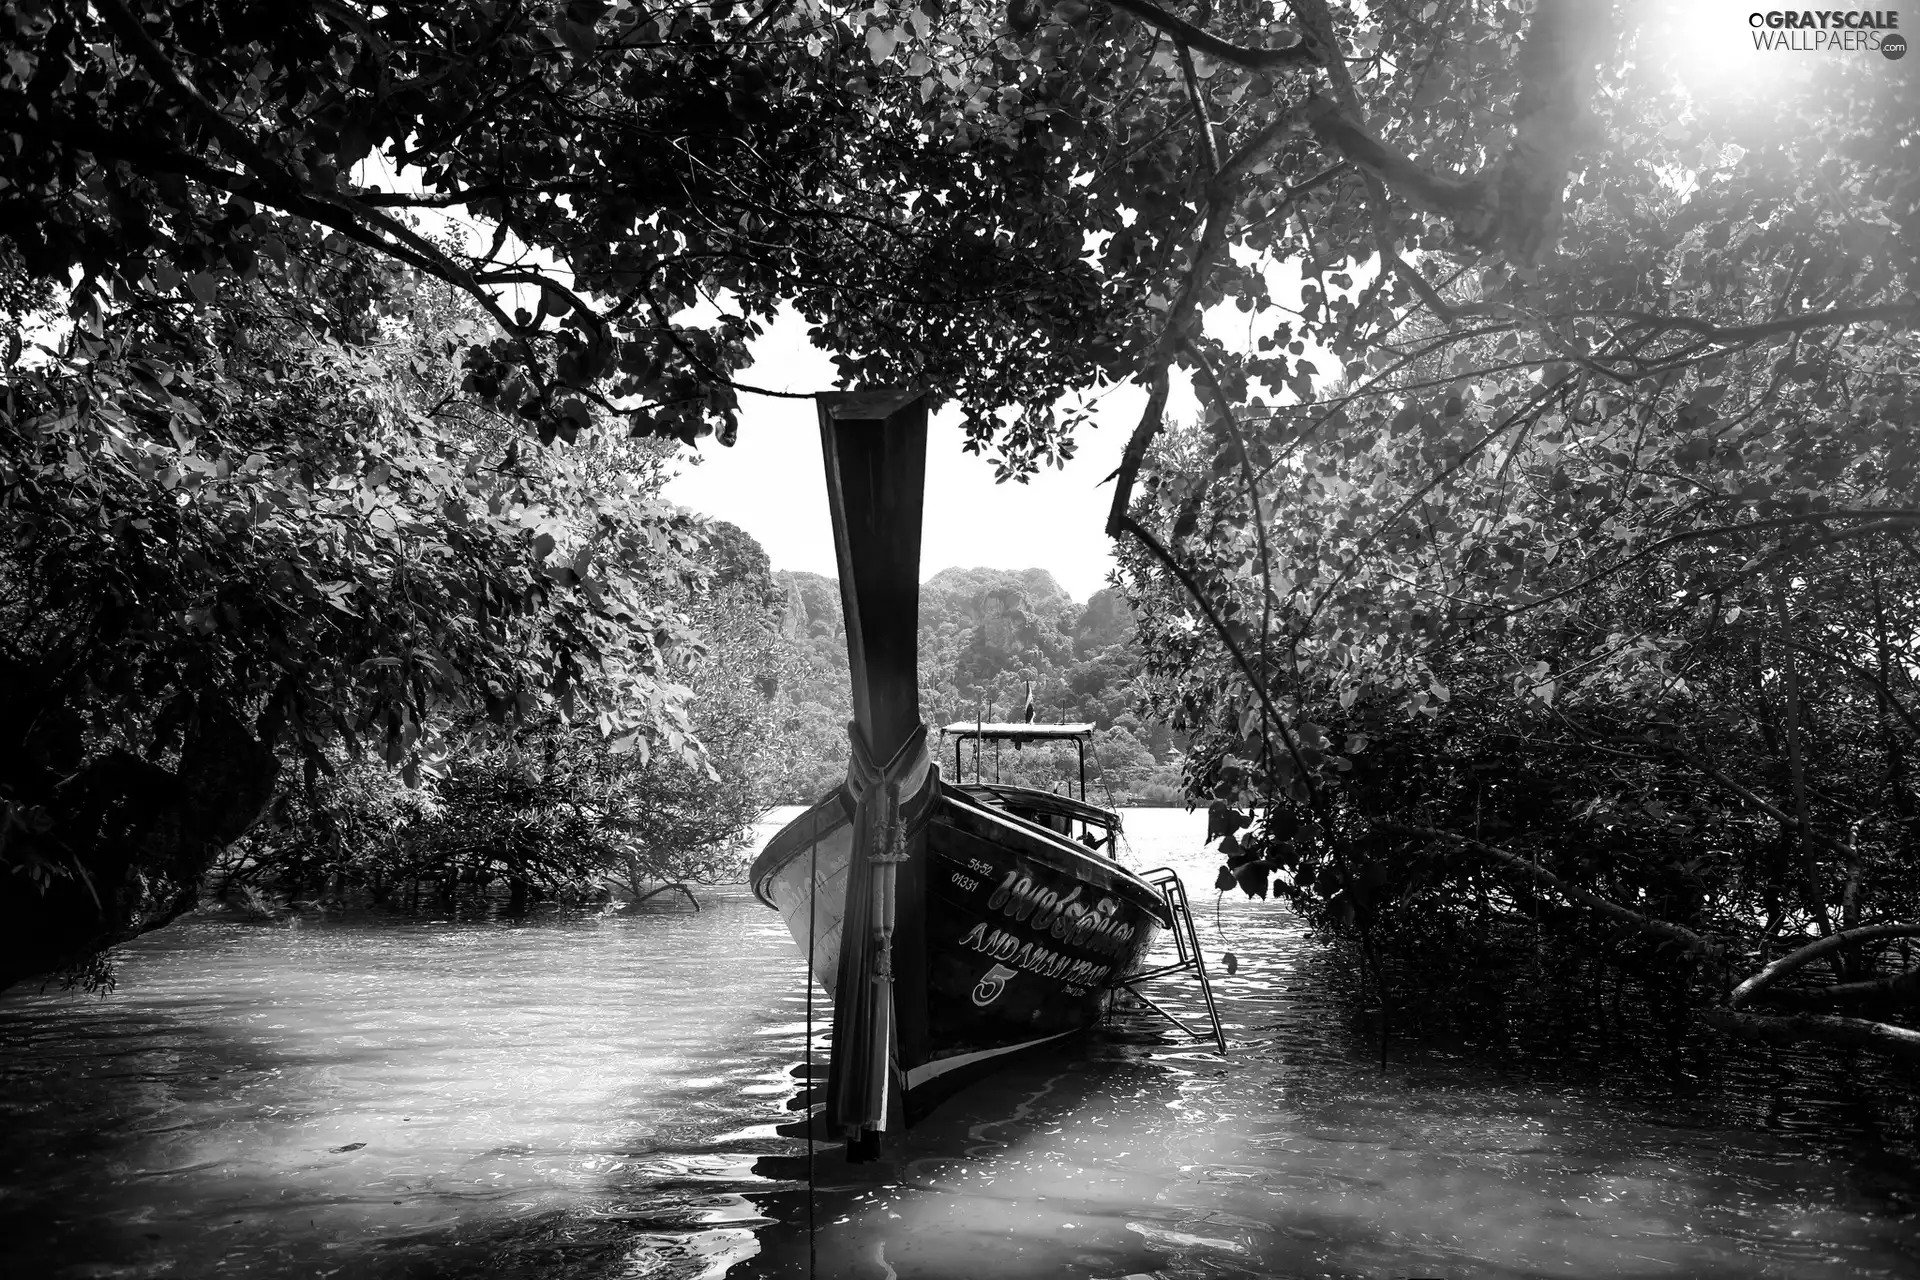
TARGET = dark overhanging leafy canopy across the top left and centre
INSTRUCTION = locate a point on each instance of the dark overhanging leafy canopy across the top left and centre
(663, 154)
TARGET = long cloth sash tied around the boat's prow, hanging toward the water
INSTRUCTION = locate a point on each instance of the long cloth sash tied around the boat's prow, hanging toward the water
(892, 805)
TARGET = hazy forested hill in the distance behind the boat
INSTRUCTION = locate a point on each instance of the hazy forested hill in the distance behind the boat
(984, 634)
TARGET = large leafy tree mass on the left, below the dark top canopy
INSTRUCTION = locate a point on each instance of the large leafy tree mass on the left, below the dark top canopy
(270, 533)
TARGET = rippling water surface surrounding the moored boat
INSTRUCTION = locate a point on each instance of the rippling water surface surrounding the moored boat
(598, 1099)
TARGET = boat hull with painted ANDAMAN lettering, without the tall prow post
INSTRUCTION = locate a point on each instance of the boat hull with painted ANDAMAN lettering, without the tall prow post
(1024, 932)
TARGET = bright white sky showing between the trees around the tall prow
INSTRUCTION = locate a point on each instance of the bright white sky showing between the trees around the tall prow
(773, 481)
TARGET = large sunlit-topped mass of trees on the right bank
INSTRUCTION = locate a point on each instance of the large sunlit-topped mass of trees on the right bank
(1573, 617)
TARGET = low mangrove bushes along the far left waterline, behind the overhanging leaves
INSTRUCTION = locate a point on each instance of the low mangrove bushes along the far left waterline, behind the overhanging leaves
(548, 809)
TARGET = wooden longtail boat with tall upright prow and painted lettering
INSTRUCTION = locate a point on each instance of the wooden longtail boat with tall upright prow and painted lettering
(951, 926)
